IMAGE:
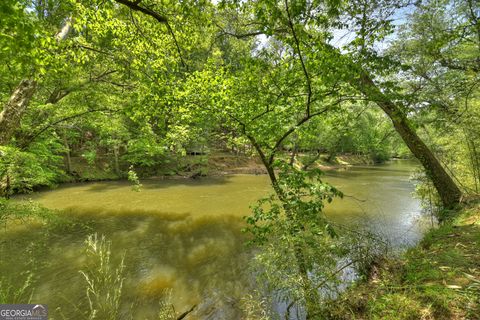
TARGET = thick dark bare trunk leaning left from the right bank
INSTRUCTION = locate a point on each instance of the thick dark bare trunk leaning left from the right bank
(448, 191)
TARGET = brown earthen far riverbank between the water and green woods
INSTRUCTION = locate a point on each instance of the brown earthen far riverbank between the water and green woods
(172, 166)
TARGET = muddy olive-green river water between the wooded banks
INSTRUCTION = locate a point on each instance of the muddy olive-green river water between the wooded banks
(182, 238)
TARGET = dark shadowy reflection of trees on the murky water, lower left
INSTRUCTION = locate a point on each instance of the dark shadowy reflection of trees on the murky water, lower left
(200, 261)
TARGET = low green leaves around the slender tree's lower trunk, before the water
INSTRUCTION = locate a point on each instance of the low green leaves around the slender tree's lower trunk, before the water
(289, 223)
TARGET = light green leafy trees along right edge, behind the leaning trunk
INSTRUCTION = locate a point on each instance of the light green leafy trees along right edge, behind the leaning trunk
(440, 49)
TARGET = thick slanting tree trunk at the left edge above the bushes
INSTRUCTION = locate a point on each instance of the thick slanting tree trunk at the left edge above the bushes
(14, 109)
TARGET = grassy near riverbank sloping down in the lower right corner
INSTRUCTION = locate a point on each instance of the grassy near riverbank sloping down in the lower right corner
(437, 279)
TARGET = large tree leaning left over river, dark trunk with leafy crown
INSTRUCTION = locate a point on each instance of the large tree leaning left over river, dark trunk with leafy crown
(356, 64)
